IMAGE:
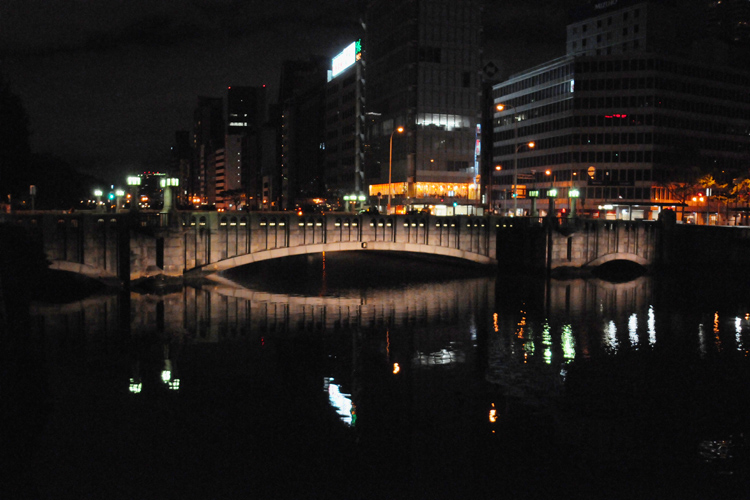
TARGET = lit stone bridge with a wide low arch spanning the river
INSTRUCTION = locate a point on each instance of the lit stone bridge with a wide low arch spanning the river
(129, 246)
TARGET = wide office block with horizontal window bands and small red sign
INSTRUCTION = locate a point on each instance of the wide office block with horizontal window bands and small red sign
(610, 125)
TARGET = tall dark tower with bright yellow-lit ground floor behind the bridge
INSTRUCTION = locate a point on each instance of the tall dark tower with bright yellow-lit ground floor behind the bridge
(423, 60)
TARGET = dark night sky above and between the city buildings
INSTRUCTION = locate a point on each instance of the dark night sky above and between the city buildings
(107, 83)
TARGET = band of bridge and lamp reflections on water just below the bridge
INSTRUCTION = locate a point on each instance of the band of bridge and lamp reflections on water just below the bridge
(513, 331)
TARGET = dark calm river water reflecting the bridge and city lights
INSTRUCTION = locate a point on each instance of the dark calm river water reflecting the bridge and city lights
(369, 376)
